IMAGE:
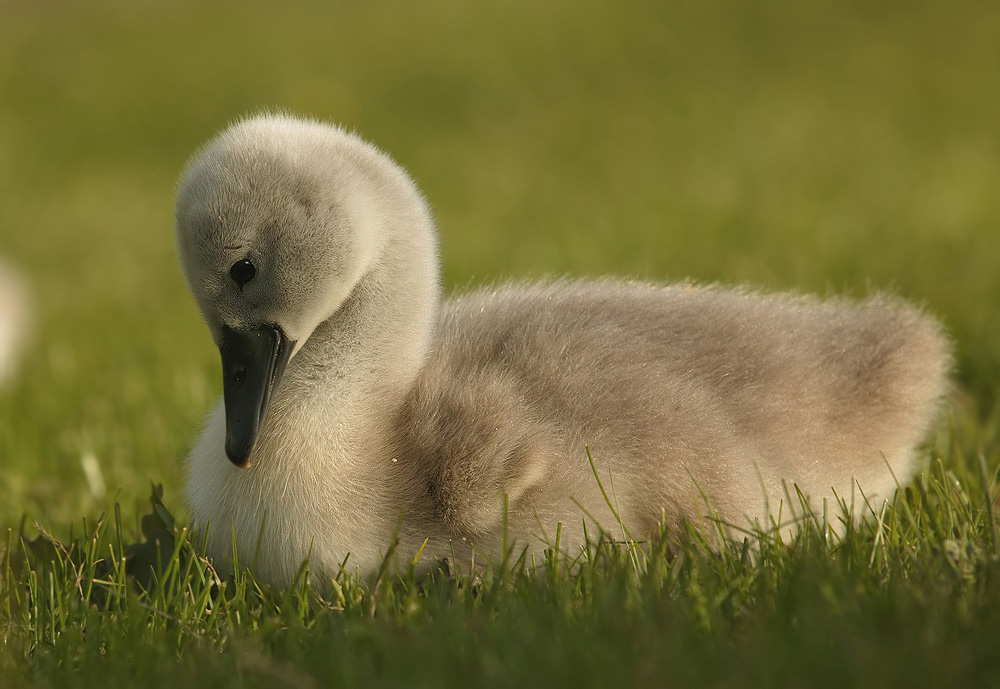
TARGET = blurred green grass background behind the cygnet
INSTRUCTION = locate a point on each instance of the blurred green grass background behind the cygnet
(826, 147)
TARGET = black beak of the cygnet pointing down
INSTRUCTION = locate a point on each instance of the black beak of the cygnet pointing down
(252, 364)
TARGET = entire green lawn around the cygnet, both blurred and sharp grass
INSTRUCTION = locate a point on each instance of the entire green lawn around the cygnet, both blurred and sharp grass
(823, 147)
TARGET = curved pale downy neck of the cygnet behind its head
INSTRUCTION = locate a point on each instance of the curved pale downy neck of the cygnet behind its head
(366, 356)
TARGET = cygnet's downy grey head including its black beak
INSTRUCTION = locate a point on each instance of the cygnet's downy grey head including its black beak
(276, 224)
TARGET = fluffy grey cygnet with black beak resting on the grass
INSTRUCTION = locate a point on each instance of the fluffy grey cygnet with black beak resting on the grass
(358, 408)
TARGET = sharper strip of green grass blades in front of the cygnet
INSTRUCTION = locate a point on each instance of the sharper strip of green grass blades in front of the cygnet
(920, 576)
